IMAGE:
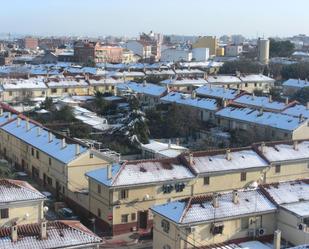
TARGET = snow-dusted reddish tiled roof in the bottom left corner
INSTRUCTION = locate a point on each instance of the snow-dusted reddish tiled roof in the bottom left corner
(60, 234)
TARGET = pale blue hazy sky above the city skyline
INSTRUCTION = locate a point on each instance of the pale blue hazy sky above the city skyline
(128, 18)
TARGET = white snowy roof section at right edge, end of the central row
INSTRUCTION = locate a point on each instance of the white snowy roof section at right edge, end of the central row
(285, 152)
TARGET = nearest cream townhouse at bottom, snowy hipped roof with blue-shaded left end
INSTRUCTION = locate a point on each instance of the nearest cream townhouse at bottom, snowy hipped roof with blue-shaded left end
(207, 220)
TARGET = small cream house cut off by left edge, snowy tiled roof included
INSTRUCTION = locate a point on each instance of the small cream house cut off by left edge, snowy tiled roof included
(19, 203)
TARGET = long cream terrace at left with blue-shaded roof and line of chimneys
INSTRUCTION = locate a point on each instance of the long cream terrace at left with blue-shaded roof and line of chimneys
(55, 161)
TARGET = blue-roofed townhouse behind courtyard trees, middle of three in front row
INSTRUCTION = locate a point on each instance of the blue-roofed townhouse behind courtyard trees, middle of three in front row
(204, 107)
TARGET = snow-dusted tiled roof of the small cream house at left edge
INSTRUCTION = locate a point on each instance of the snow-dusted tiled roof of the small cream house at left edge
(15, 191)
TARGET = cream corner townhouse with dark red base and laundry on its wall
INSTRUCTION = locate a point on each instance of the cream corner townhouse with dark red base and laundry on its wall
(120, 195)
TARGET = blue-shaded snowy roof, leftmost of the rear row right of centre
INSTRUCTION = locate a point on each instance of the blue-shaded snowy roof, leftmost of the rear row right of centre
(217, 92)
